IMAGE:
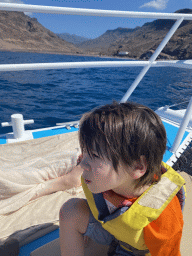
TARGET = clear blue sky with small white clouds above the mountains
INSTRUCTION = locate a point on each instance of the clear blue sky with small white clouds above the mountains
(92, 27)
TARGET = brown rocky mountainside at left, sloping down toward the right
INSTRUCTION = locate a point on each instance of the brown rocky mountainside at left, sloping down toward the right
(19, 32)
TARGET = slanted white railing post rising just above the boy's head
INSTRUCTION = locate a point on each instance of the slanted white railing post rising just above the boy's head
(153, 58)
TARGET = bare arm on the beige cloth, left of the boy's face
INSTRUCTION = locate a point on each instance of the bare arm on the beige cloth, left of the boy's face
(67, 181)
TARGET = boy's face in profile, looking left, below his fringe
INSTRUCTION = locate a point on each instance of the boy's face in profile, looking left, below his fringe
(99, 174)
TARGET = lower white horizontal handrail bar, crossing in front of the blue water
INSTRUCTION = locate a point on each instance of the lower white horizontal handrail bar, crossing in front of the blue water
(92, 64)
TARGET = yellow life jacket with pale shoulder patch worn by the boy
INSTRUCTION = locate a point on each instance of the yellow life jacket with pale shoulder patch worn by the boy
(127, 225)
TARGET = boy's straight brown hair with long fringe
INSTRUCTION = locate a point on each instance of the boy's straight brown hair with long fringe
(124, 132)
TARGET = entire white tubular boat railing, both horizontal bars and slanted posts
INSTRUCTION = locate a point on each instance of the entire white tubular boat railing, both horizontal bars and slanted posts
(179, 17)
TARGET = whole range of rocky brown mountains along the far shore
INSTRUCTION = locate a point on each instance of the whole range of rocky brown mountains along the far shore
(19, 32)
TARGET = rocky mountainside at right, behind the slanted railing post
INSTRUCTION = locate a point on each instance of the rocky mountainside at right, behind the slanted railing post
(142, 41)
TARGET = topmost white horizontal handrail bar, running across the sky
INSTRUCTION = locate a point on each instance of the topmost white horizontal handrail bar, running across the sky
(91, 12)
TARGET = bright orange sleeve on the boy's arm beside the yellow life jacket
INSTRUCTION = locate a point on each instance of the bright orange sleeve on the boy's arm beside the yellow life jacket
(163, 235)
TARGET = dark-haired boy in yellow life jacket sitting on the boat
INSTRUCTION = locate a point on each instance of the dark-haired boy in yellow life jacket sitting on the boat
(132, 197)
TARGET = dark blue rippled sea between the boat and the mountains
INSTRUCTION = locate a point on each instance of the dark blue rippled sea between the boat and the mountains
(53, 96)
